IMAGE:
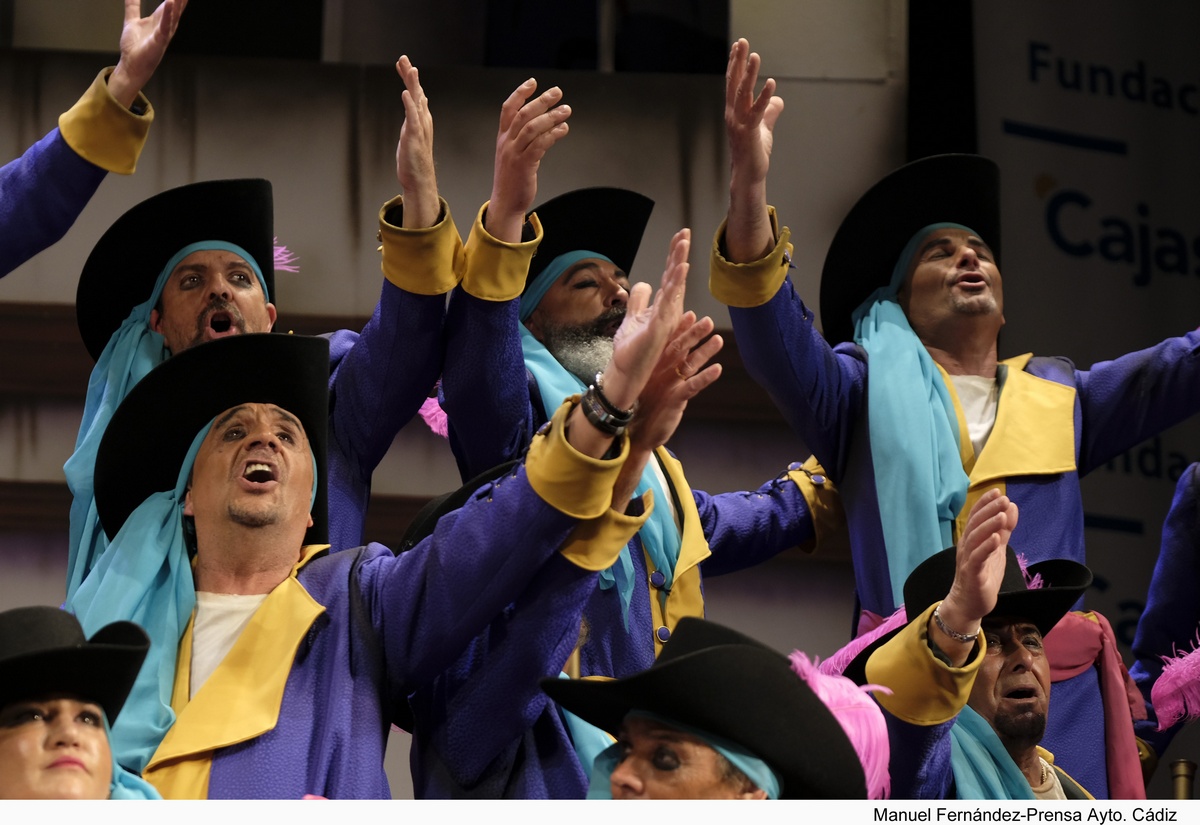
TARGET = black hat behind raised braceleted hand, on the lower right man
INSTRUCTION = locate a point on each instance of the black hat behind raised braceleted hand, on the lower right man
(1063, 583)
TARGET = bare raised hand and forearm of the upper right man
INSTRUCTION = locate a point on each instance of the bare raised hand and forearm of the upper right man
(749, 127)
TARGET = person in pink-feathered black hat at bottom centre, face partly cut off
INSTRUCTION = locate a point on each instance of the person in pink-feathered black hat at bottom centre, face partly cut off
(722, 716)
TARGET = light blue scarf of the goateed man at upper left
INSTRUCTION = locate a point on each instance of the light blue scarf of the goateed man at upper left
(130, 356)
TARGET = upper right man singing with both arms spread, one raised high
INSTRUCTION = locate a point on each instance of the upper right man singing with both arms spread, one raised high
(905, 400)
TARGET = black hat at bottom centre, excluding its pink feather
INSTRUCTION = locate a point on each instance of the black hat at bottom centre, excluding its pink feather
(727, 684)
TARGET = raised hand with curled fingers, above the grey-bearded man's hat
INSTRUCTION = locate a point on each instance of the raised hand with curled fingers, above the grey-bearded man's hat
(530, 127)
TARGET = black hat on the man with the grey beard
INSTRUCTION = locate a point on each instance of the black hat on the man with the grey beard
(602, 219)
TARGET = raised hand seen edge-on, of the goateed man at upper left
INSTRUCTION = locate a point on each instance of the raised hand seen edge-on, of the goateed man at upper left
(415, 153)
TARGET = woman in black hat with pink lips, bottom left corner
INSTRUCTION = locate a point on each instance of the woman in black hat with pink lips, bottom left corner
(58, 694)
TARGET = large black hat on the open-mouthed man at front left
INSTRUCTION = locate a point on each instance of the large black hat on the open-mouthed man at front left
(149, 436)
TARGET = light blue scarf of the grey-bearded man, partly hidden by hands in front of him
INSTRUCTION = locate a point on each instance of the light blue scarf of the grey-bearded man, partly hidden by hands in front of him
(659, 535)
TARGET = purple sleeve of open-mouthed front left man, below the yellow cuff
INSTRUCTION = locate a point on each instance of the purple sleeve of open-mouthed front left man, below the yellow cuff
(430, 603)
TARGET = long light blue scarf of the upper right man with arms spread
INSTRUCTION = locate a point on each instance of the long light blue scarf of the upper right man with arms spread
(915, 433)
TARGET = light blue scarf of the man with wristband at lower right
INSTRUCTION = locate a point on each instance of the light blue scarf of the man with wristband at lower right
(983, 770)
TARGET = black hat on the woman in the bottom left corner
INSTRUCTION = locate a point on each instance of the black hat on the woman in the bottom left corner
(44, 653)
